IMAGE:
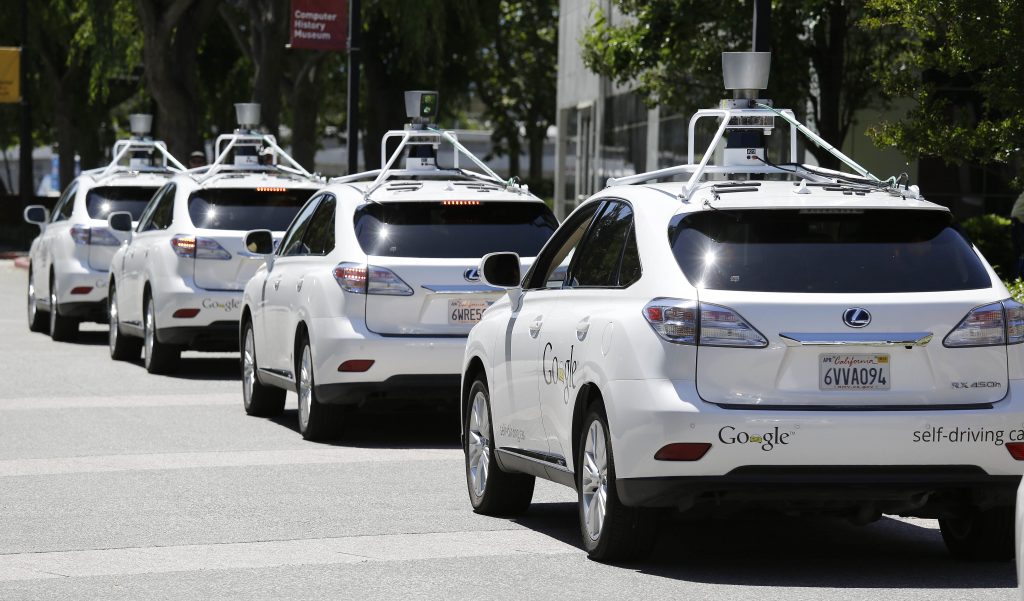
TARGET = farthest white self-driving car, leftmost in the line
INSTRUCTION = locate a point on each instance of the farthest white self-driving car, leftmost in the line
(70, 260)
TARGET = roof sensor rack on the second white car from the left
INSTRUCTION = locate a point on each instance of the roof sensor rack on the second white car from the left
(248, 143)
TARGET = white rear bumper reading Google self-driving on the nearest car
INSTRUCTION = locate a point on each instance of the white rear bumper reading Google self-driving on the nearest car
(647, 415)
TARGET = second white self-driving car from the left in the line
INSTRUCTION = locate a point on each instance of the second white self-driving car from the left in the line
(178, 283)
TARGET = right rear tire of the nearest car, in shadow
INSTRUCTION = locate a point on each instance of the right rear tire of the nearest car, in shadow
(983, 536)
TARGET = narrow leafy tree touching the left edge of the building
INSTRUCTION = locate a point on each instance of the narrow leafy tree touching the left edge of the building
(517, 79)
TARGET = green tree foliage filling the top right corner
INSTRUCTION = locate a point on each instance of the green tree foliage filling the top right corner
(961, 62)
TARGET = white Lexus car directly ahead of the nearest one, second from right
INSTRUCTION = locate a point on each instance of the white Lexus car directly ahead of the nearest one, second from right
(374, 288)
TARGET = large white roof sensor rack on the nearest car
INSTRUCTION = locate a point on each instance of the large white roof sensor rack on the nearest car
(747, 74)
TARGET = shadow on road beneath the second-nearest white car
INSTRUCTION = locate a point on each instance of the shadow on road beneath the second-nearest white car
(389, 428)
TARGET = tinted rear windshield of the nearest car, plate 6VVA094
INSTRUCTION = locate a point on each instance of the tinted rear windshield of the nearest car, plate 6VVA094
(826, 251)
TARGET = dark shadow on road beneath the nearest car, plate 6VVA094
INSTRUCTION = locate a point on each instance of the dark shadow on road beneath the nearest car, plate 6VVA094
(778, 551)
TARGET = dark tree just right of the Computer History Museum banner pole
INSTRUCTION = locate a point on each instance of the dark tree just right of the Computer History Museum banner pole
(430, 45)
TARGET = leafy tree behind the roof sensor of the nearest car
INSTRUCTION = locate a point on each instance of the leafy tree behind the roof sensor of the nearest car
(823, 57)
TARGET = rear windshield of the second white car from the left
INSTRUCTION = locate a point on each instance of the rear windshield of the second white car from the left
(246, 209)
